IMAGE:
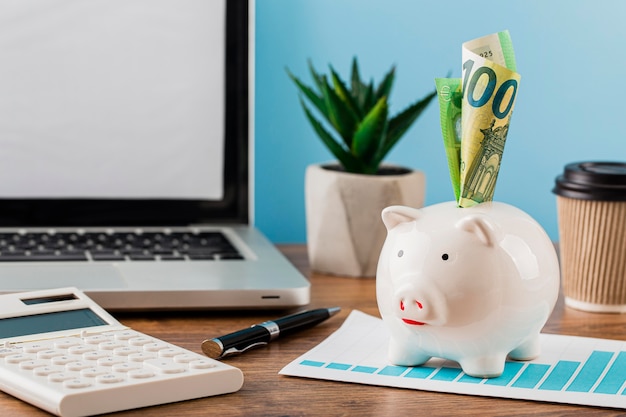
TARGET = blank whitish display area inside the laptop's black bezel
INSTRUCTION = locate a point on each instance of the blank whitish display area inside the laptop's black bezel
(112, 98)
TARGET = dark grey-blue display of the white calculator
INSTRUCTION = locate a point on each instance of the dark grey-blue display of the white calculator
(49, 322)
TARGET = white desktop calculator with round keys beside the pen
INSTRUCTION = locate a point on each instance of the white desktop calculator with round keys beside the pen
(62, 352)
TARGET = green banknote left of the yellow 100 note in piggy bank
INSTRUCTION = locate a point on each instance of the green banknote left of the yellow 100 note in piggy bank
(448, 91)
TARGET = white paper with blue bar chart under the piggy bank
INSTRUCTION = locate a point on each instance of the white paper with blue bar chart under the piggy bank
(570, 369)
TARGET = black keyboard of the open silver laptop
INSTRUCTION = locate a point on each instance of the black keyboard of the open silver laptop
(116, 246)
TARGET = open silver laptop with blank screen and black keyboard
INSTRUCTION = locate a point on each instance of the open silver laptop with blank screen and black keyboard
(125, 156)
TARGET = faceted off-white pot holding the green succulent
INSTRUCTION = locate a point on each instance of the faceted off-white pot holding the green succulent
(344, 231)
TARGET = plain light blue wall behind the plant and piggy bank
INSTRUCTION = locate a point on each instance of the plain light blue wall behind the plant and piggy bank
(570, 104)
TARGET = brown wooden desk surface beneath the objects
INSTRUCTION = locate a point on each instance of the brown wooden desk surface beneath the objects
(265, 393)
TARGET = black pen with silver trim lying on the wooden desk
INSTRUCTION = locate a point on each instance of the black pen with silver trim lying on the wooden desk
(262, 334)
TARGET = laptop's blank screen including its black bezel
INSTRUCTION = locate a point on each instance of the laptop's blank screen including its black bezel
(123, 112)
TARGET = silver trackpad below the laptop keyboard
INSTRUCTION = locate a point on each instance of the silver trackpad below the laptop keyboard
(32, 277)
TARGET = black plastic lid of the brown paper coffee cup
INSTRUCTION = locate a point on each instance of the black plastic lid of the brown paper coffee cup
(605, 181)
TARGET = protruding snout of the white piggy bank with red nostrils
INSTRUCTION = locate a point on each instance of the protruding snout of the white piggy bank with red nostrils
(419, 305)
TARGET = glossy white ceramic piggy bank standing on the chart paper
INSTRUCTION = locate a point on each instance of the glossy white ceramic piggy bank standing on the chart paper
(471, 285)
